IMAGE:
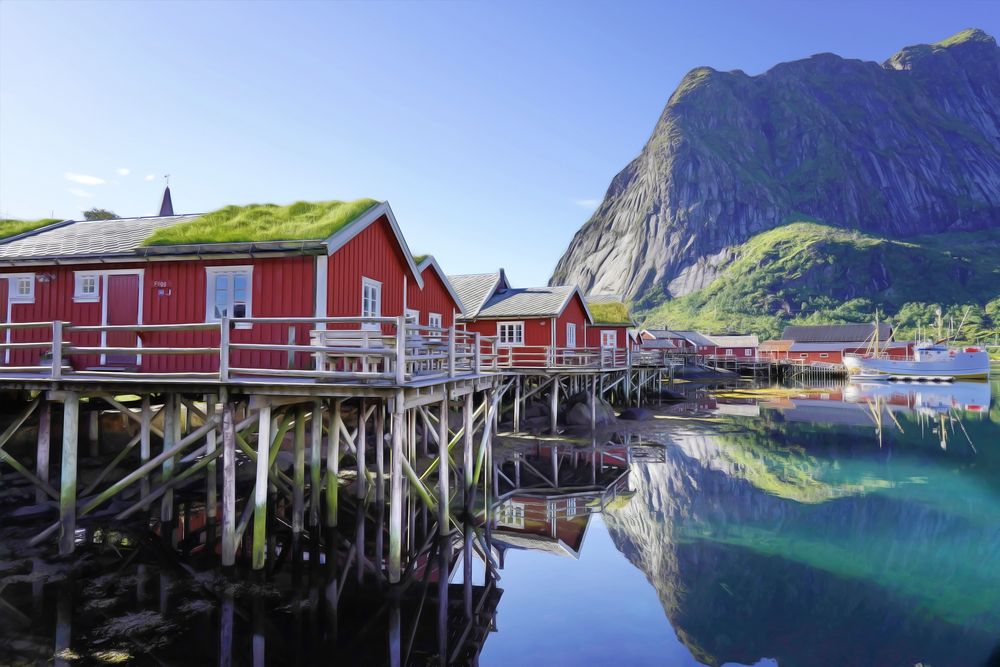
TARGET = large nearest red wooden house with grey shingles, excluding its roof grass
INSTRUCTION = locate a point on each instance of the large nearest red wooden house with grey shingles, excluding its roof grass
(101, 273)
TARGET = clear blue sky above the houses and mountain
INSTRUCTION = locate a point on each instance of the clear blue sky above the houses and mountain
(492, 128)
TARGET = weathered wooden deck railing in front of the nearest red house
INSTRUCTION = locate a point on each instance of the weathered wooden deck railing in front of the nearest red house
(331, 349)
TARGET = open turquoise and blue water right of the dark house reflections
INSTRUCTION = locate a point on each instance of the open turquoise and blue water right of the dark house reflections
(840, 526)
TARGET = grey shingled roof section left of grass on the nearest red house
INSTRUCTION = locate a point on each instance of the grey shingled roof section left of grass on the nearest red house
(85, 238)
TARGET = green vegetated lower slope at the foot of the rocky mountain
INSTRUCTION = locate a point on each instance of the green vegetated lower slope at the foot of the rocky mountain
(810, 273)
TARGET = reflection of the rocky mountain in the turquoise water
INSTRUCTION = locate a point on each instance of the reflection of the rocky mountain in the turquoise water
(872, 577)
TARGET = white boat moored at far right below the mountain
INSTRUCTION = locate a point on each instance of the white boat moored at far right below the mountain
(931, 361)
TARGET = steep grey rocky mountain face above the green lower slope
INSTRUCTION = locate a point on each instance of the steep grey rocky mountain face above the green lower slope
(909, 147)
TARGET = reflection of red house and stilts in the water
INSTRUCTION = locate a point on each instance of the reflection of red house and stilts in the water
(546, 493)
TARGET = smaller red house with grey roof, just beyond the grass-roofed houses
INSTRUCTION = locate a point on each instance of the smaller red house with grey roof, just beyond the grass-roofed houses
(532, 327)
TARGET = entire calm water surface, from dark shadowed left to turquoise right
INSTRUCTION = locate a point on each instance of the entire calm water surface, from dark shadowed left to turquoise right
(854, 525)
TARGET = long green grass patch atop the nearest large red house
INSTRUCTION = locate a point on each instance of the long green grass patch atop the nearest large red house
(264, 222)
